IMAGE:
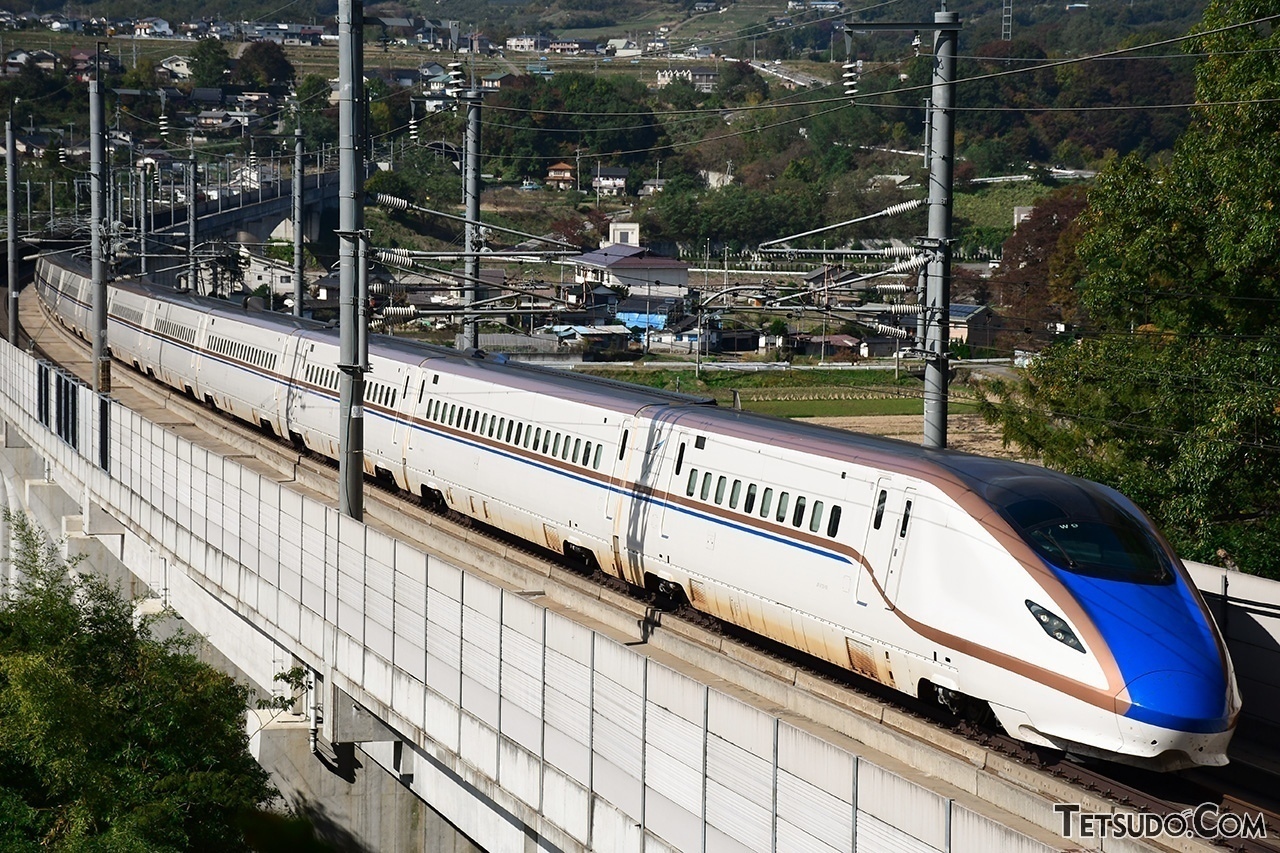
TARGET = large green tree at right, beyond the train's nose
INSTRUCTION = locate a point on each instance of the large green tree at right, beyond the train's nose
(1172, 394)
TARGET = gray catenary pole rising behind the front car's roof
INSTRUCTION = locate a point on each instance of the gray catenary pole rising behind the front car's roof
(939, 297)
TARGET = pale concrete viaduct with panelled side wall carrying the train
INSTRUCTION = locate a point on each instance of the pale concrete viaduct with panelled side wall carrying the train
(532, 710)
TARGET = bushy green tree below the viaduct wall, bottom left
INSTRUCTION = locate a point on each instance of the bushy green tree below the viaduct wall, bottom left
(112, 740)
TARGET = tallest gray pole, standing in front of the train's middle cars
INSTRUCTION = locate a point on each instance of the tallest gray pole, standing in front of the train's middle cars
(351, 222)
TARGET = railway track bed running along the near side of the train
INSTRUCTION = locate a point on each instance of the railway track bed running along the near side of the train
(1242, 791)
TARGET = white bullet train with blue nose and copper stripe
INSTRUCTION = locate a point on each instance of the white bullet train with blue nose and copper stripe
(973, 581)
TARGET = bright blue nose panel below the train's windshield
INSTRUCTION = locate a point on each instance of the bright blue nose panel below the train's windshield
(1168, 651)
